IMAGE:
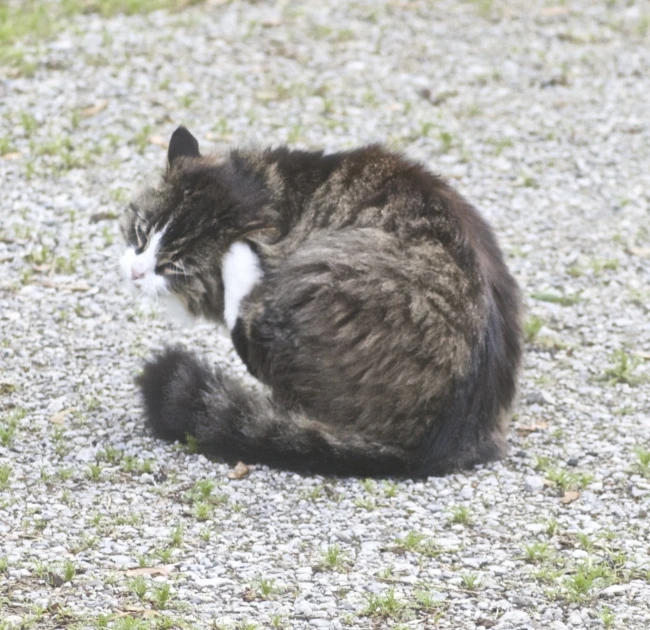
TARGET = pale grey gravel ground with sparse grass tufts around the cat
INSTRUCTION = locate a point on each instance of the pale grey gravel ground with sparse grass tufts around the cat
(538, 112)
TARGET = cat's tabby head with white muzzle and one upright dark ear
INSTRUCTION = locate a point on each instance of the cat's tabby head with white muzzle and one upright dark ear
(174, 236)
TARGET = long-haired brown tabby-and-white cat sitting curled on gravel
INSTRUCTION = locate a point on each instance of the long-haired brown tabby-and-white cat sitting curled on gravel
(368, 296)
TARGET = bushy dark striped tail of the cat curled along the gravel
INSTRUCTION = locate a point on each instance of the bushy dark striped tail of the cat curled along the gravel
(184, 396)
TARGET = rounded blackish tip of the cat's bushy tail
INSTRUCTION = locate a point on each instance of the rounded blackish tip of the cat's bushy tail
(172, 385)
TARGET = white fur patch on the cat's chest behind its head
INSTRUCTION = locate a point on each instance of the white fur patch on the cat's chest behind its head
(240, 271)
